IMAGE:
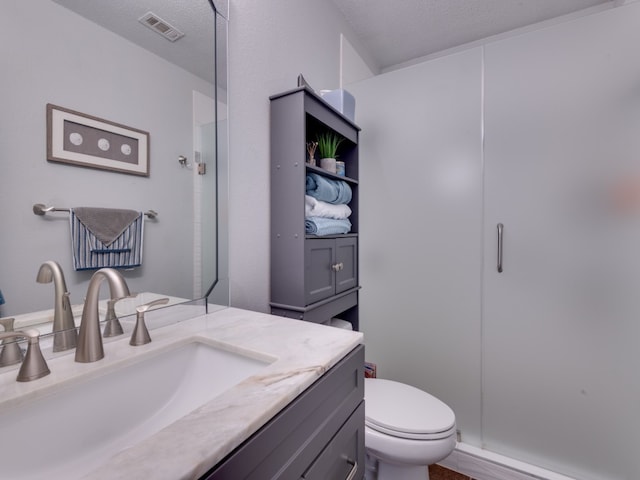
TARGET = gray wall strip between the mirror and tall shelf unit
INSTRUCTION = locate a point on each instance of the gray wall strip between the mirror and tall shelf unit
(270, 43)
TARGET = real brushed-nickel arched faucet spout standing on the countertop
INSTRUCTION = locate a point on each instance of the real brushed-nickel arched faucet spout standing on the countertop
(90, 348)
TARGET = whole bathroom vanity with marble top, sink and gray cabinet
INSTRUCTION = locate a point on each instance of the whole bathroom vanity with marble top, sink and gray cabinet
(297, 413)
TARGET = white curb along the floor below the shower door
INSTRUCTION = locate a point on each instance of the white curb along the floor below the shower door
(481, 464)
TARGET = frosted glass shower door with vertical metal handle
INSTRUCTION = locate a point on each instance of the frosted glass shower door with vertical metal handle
(561, 322)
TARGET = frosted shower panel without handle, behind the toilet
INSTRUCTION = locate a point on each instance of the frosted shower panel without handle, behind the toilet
(421, 228)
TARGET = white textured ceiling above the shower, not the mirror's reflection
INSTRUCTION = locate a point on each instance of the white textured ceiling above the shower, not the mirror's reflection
(398, 31)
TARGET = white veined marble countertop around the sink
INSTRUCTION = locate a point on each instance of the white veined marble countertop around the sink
(189, 447)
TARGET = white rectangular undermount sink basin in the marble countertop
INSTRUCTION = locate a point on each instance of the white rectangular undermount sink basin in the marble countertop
(77, 426)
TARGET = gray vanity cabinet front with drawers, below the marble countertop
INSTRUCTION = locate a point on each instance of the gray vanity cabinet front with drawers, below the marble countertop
(319, 436)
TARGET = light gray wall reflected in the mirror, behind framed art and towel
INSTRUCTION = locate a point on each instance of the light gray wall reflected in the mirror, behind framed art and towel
(51, 55)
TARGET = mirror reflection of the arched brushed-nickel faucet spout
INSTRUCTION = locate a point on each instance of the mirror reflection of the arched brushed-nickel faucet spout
(64, 328)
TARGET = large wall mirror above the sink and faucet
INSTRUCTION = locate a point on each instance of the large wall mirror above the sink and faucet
(97, 58)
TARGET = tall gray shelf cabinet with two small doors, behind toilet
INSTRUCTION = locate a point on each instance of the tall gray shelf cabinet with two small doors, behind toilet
(313, 277)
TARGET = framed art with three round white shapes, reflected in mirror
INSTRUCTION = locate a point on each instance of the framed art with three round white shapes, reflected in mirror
(84, 140)
